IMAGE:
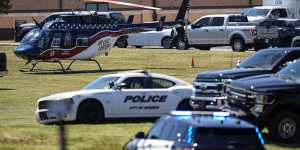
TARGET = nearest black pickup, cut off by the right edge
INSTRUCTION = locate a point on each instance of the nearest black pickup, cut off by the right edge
(271, 101)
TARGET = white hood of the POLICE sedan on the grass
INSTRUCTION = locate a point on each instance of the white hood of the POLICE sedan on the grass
(66, 95)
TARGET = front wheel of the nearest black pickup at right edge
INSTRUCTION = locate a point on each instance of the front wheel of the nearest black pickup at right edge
(285, 127)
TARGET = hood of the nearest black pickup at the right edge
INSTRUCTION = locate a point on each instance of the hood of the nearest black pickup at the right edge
(266, 84)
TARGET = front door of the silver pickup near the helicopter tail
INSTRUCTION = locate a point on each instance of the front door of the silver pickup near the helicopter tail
(216, 31)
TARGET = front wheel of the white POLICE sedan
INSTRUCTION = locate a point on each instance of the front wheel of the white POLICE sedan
(90, 111)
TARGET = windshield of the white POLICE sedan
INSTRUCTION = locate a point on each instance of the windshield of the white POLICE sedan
(102, 83)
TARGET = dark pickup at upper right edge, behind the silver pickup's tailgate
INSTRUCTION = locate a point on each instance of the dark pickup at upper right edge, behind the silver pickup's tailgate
(276, 33)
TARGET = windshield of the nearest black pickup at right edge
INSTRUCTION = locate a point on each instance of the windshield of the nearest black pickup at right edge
(290, 72)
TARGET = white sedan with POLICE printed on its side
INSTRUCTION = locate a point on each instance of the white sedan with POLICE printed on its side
(123, 95)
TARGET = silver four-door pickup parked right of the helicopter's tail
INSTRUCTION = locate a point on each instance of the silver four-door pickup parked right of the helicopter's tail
(218, 30)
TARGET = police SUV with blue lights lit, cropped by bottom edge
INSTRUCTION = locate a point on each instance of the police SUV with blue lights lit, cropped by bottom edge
(197, 131)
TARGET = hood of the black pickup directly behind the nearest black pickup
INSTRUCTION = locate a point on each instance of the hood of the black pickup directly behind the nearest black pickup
(235, 73)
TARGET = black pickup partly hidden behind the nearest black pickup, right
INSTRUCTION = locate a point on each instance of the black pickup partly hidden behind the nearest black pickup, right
(210, 85)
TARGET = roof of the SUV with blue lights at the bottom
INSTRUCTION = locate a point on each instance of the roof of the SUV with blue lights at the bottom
(211, 121)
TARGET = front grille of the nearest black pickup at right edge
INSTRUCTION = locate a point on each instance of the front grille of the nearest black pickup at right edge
(240, 98)
